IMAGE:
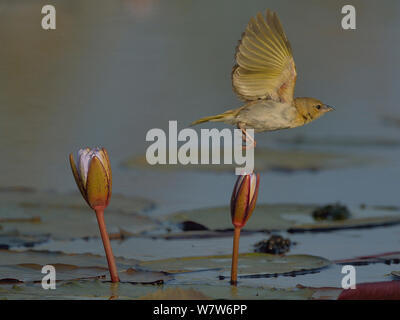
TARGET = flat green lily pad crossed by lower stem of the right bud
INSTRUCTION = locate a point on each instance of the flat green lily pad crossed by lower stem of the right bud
(250, 264)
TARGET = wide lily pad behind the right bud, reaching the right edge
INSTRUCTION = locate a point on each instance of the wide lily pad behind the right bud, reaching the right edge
(289, 217)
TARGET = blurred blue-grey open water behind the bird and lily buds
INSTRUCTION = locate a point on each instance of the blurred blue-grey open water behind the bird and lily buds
(112, 70)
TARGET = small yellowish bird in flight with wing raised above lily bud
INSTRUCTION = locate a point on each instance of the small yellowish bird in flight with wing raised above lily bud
(264, 77)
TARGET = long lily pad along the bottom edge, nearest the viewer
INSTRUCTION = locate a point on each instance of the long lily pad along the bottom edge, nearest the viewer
(96, 289)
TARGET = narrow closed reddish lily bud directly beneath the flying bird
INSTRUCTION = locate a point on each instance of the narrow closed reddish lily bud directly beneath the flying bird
(244, 198)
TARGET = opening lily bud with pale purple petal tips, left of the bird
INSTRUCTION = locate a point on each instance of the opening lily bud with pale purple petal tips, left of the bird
(93, 176)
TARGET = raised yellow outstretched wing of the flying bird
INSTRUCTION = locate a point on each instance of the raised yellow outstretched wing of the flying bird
(264, 68)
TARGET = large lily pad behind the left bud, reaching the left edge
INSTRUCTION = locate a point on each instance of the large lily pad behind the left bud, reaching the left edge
(39, 214)
